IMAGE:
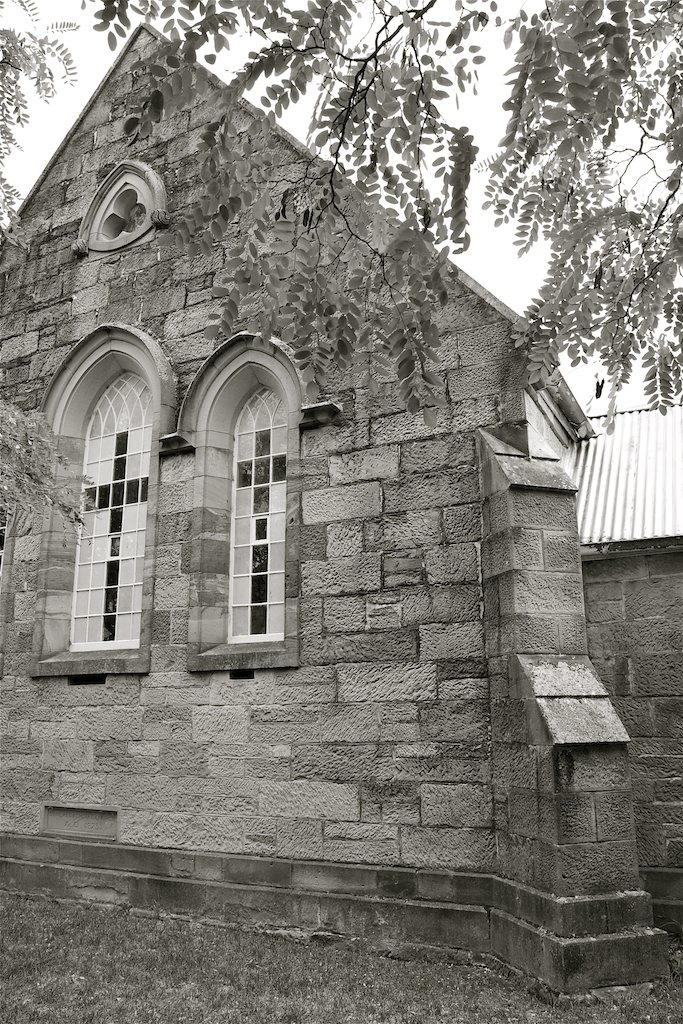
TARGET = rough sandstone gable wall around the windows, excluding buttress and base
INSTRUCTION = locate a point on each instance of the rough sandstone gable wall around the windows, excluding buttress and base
(376, 749)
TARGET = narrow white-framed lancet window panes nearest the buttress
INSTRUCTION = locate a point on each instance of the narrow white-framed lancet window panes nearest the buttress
(258, 549)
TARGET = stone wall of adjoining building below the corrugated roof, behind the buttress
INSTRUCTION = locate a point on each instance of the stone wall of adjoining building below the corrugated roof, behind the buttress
(635, 629)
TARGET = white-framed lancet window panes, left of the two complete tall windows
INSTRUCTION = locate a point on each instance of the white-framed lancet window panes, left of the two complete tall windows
(108, 591)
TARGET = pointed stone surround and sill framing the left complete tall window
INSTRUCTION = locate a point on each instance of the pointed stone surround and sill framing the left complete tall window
(71, 398)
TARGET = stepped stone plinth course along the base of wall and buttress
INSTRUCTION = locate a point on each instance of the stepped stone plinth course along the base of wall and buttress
(572, 945)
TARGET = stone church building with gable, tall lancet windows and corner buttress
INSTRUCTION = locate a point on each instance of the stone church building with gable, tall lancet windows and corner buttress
(325, 667)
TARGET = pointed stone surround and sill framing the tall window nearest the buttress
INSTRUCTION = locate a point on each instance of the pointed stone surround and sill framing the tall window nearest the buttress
(208, 417)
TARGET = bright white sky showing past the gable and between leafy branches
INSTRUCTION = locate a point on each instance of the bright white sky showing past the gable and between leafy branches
(492, 259)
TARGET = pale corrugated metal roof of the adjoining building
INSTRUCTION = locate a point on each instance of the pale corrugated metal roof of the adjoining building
(630, 482)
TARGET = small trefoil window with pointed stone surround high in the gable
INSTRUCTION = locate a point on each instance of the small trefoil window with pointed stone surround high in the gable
(131, 186)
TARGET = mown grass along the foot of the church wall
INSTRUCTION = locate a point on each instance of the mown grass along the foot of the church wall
(87, 965)
